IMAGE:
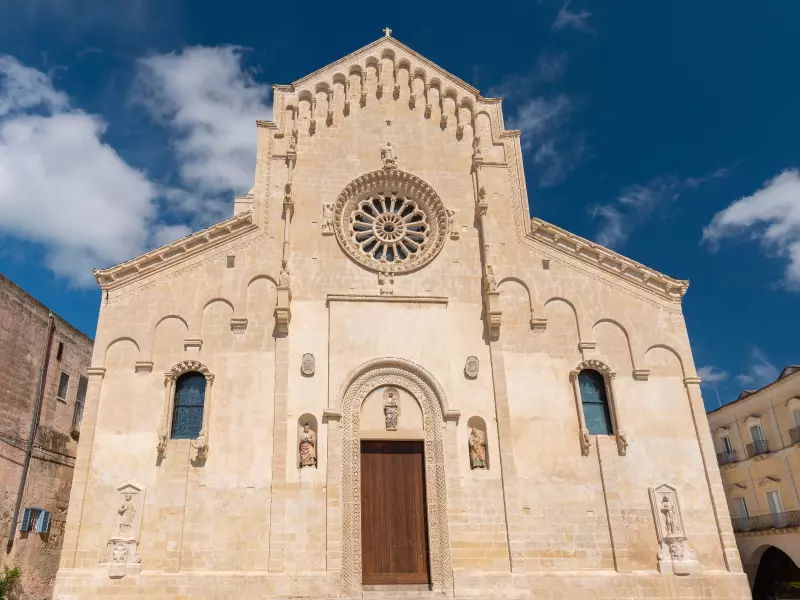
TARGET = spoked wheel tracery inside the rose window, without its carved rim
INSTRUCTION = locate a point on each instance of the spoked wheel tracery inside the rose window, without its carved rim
(388, 226)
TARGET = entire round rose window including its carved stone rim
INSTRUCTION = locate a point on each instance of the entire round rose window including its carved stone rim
(390, 220)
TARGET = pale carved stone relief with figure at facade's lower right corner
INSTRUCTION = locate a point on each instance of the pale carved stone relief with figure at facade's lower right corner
(675, 554)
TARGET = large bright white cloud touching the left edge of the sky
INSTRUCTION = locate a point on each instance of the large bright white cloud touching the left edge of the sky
(61, 186)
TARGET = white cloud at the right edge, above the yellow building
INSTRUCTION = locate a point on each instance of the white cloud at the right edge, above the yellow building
(770, 216)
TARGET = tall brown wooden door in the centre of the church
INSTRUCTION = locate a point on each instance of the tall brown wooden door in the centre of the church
(394, 530)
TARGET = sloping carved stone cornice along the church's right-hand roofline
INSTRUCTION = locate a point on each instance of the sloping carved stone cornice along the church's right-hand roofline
(608, 260)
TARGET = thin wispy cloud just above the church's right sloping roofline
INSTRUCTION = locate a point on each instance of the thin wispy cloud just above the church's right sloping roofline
(637, 203)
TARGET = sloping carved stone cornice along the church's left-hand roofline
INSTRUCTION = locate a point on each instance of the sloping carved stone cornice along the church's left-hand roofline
(176, 252)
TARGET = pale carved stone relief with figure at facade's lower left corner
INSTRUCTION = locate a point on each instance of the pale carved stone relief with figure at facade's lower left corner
(122, 555)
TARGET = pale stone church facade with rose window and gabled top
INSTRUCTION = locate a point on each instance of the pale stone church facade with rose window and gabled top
(380, 374)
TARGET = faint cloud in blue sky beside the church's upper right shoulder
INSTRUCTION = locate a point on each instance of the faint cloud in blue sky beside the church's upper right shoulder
(542, 122)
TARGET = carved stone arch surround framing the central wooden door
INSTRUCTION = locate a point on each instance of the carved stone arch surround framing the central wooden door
(345, 452)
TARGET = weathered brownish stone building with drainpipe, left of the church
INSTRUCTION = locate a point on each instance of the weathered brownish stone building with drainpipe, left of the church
(43, 362)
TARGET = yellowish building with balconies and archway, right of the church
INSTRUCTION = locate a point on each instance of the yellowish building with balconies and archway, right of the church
(756, 439)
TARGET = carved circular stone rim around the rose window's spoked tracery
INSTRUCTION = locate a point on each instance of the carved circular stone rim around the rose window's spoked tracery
(406, 184)
